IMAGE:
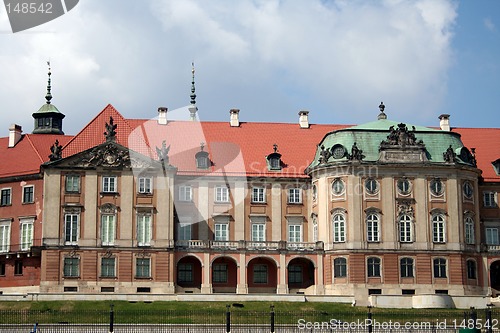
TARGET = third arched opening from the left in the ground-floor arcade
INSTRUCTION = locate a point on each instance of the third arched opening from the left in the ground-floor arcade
(262, 276)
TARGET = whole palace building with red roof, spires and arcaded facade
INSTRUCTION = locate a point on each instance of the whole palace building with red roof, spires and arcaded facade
(162, 206)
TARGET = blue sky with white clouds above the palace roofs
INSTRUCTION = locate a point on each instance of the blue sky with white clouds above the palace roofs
(268, 58)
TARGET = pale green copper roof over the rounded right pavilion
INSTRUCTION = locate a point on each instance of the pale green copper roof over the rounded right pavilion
(369, 136)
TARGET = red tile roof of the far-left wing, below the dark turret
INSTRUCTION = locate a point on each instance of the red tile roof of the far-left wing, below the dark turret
(27, 155)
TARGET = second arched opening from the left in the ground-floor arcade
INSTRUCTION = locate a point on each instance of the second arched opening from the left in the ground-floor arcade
(224, 275)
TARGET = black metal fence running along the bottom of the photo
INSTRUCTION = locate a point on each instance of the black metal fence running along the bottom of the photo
(236, 318)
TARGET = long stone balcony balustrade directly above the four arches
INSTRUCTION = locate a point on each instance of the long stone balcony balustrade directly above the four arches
(248, 245)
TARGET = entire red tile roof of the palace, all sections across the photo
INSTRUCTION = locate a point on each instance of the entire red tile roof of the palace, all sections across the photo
(233, 150)
